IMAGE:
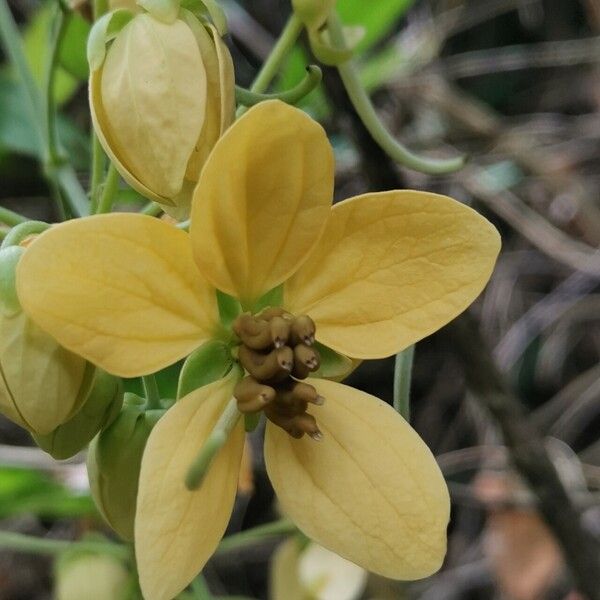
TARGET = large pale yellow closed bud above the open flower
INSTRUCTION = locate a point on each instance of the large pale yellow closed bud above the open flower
(160, 101)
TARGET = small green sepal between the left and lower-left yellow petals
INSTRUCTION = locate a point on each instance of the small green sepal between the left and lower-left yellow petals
(210, 362)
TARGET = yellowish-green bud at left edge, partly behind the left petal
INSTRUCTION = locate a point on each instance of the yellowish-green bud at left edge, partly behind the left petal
(42, 385)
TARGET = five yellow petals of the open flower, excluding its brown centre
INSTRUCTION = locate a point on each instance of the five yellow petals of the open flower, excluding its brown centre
(376, 273)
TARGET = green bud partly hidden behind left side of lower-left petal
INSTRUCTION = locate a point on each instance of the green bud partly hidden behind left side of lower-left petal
(114, 460)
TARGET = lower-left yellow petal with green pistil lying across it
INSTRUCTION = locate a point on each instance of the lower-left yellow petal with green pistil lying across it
(177, 531)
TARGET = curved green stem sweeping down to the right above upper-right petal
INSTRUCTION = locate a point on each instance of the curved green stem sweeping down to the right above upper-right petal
(368, 115)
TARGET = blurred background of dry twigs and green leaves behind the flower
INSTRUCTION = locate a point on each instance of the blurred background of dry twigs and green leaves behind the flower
(501, 395)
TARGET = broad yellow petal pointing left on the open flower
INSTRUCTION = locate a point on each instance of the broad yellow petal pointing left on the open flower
(121, 290)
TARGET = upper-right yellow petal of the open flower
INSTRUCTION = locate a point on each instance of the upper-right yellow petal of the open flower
(390, 269)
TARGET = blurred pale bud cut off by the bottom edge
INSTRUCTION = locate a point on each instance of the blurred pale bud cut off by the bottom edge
(91, 576)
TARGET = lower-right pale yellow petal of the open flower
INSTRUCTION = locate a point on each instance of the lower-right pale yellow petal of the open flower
(370, 491)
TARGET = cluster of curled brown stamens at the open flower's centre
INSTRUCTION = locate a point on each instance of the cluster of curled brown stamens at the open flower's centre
(277, 351)
